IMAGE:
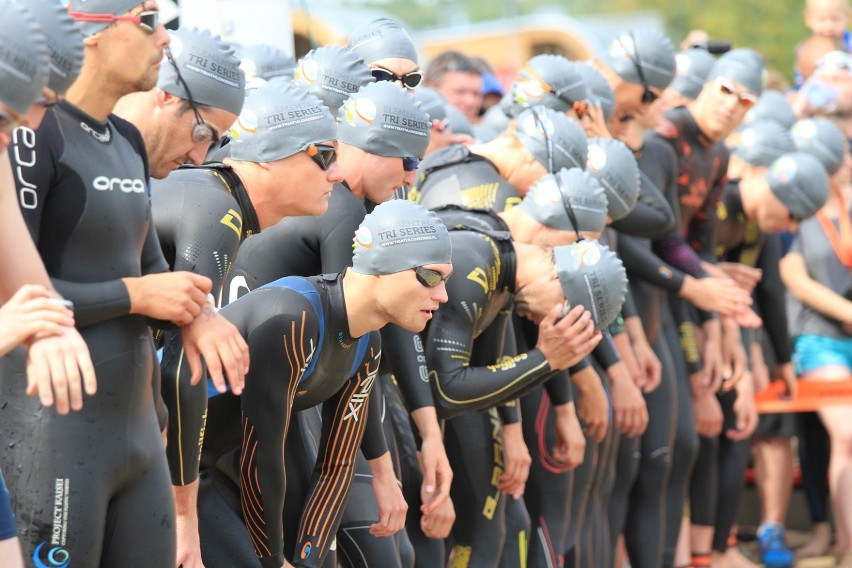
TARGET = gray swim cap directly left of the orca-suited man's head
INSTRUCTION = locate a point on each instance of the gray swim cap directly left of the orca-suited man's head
(64, 39)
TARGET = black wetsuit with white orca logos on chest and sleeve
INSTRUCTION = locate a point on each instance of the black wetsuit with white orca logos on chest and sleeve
(90, 486)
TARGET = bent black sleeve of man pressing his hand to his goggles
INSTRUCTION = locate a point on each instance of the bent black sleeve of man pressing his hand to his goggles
(458, 385)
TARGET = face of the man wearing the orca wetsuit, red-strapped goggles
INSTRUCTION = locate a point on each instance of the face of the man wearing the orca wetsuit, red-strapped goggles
(132, 53)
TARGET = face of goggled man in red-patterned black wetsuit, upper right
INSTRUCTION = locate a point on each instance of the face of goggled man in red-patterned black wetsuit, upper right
(721, 107)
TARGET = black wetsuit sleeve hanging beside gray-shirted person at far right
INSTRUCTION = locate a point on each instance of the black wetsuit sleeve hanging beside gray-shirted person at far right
(770, 297)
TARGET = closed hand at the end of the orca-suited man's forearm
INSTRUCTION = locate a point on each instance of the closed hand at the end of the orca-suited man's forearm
(170, 296)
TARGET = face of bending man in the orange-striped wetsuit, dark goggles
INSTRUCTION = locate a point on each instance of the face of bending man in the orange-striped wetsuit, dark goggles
(404, 300)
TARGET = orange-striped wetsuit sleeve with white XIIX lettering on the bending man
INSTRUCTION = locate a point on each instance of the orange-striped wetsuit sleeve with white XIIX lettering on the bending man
(343, 427)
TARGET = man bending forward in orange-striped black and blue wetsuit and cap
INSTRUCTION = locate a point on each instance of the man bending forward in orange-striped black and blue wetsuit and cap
(330, 355)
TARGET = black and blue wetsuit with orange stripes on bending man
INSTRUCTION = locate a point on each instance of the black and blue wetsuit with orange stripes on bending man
(303, 354)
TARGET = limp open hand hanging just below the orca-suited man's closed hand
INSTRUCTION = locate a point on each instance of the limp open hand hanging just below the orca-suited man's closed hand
(220, 343)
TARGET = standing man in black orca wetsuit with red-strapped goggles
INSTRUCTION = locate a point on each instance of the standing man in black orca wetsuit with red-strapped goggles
(90, 176)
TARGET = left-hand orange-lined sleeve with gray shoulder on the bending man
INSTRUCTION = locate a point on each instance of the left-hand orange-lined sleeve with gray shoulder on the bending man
(281, 335)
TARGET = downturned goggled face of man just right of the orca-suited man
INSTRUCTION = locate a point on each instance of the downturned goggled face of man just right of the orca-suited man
(170, 143)
